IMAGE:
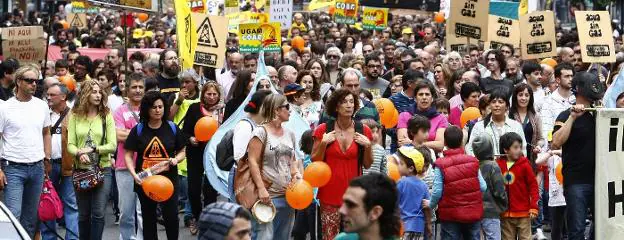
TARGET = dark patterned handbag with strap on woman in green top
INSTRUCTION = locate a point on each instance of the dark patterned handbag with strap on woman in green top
(86, 179)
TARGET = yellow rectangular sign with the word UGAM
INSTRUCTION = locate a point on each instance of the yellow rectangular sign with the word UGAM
(256, 36)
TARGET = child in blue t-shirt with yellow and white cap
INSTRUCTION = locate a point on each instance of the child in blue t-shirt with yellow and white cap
(412, 192)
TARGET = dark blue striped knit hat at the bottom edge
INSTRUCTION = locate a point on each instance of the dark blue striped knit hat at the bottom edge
(216, 220)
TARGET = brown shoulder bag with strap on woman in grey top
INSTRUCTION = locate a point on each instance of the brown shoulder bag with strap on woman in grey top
(245, 190)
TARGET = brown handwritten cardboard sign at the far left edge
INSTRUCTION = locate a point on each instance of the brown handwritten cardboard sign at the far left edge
(26, 44)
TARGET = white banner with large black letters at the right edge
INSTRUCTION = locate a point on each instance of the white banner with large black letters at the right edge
(609, 191)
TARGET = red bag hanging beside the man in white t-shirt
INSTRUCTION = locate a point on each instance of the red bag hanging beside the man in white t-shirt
(50, 205)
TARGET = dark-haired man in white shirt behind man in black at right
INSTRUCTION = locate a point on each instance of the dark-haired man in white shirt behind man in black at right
(560, 99)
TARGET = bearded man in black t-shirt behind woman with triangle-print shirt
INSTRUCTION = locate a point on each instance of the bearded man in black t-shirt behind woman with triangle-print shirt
(168, 78)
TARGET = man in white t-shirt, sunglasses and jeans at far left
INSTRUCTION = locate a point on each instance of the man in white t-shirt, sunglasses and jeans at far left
(25, 127)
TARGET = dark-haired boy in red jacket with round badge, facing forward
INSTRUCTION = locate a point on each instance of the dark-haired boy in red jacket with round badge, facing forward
(521, 187)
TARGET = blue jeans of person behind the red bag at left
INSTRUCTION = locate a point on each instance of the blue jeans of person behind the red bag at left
(65, 190)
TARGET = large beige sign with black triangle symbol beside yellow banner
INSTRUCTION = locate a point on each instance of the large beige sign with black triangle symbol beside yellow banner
(211, 37)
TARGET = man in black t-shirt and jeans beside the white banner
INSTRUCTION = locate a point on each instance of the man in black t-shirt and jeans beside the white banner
(575, 133)
